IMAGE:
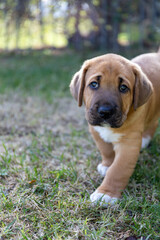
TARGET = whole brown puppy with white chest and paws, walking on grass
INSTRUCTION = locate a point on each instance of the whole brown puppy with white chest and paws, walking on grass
(122, 100)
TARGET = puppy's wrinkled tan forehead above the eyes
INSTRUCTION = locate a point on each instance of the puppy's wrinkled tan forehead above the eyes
(110, 67)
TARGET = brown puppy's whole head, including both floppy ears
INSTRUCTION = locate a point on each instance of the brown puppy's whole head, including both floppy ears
(110, 86)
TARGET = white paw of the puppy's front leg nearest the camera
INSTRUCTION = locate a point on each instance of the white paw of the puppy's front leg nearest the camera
(102, 199)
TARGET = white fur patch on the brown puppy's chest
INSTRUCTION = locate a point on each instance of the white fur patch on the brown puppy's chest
(107, 134)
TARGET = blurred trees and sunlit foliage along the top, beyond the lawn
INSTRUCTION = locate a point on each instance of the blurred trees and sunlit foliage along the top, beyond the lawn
(80, 24)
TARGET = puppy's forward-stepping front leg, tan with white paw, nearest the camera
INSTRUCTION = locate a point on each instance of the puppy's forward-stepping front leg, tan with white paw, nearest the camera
(117, 176)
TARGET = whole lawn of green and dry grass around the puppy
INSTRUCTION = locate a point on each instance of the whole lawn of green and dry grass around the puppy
(48, 161)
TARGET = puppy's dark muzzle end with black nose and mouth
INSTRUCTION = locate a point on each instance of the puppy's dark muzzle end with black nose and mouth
(101, 116)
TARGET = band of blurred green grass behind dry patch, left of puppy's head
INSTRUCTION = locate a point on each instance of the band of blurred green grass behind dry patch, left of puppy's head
(36, 73)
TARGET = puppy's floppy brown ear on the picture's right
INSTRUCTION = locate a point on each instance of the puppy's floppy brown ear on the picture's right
(143, 87)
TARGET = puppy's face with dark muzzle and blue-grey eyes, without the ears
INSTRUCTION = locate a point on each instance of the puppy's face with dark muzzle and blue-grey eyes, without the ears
(108, 92)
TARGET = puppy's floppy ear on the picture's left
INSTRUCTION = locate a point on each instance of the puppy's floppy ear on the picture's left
(78, 83)
